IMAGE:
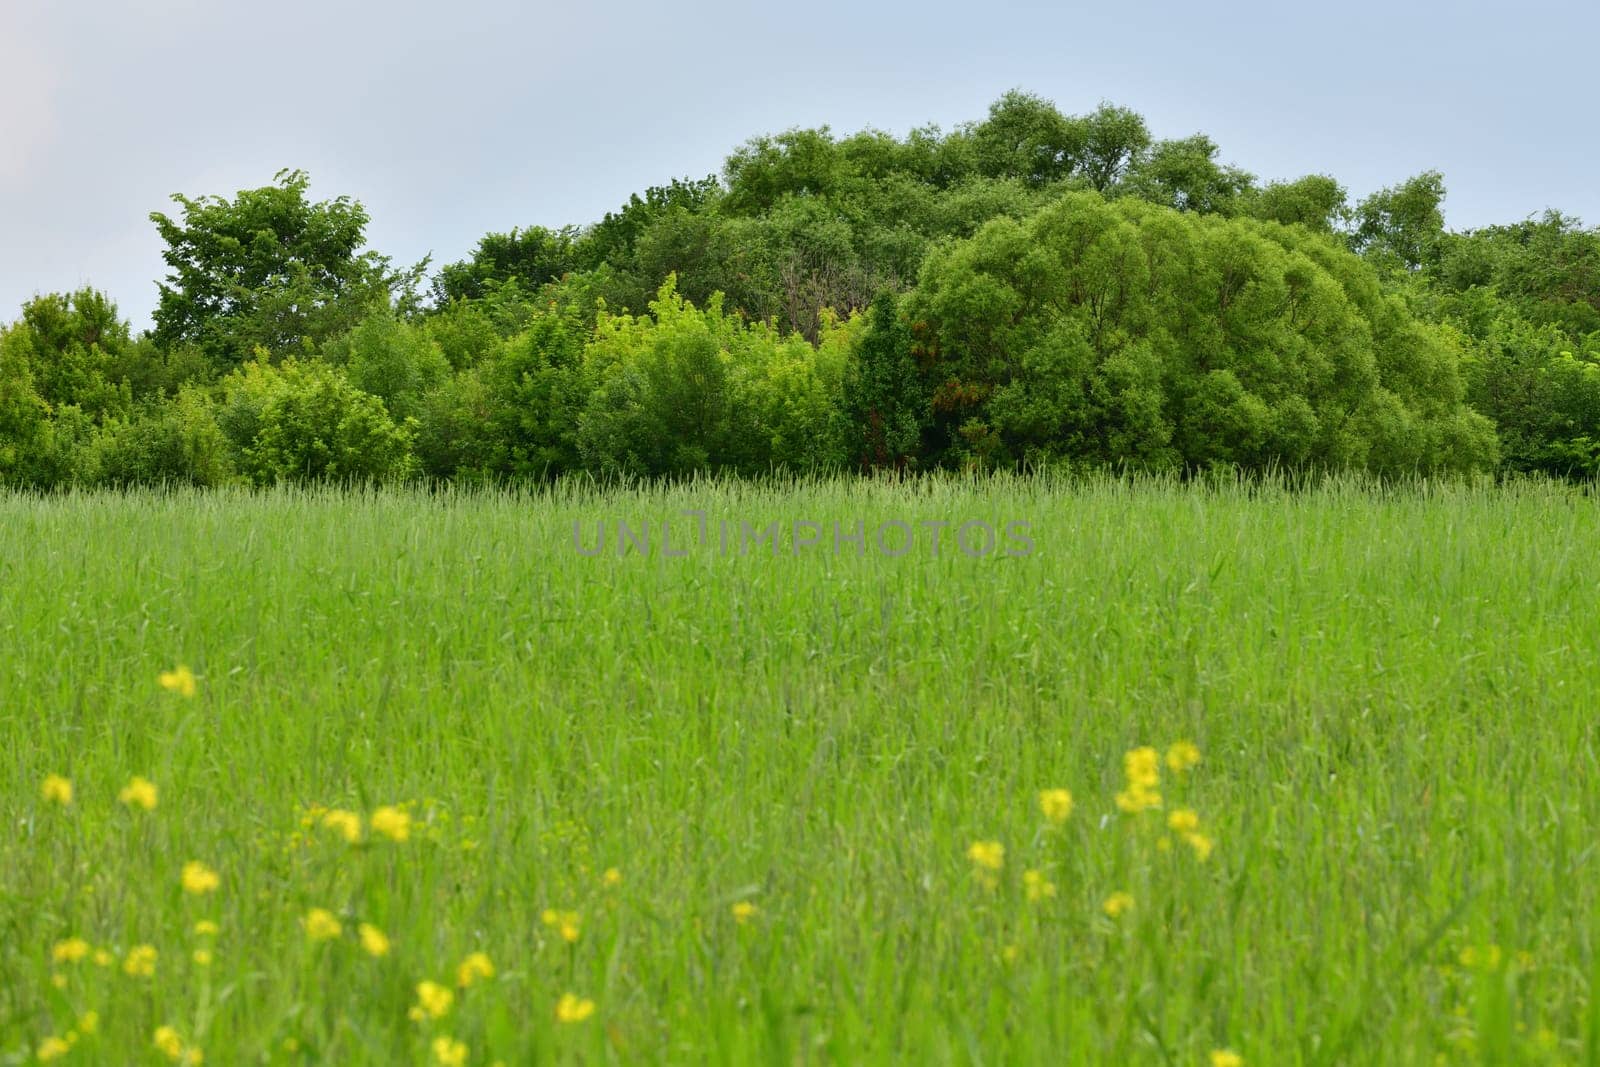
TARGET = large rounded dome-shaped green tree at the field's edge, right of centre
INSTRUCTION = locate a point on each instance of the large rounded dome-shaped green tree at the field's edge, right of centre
(1121, 332)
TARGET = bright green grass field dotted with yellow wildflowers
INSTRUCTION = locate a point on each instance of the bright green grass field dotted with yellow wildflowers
(727, 805)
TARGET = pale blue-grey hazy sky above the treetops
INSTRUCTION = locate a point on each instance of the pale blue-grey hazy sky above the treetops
(450, 121)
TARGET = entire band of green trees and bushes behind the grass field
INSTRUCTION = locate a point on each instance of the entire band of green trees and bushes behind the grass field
(1028, 290)
